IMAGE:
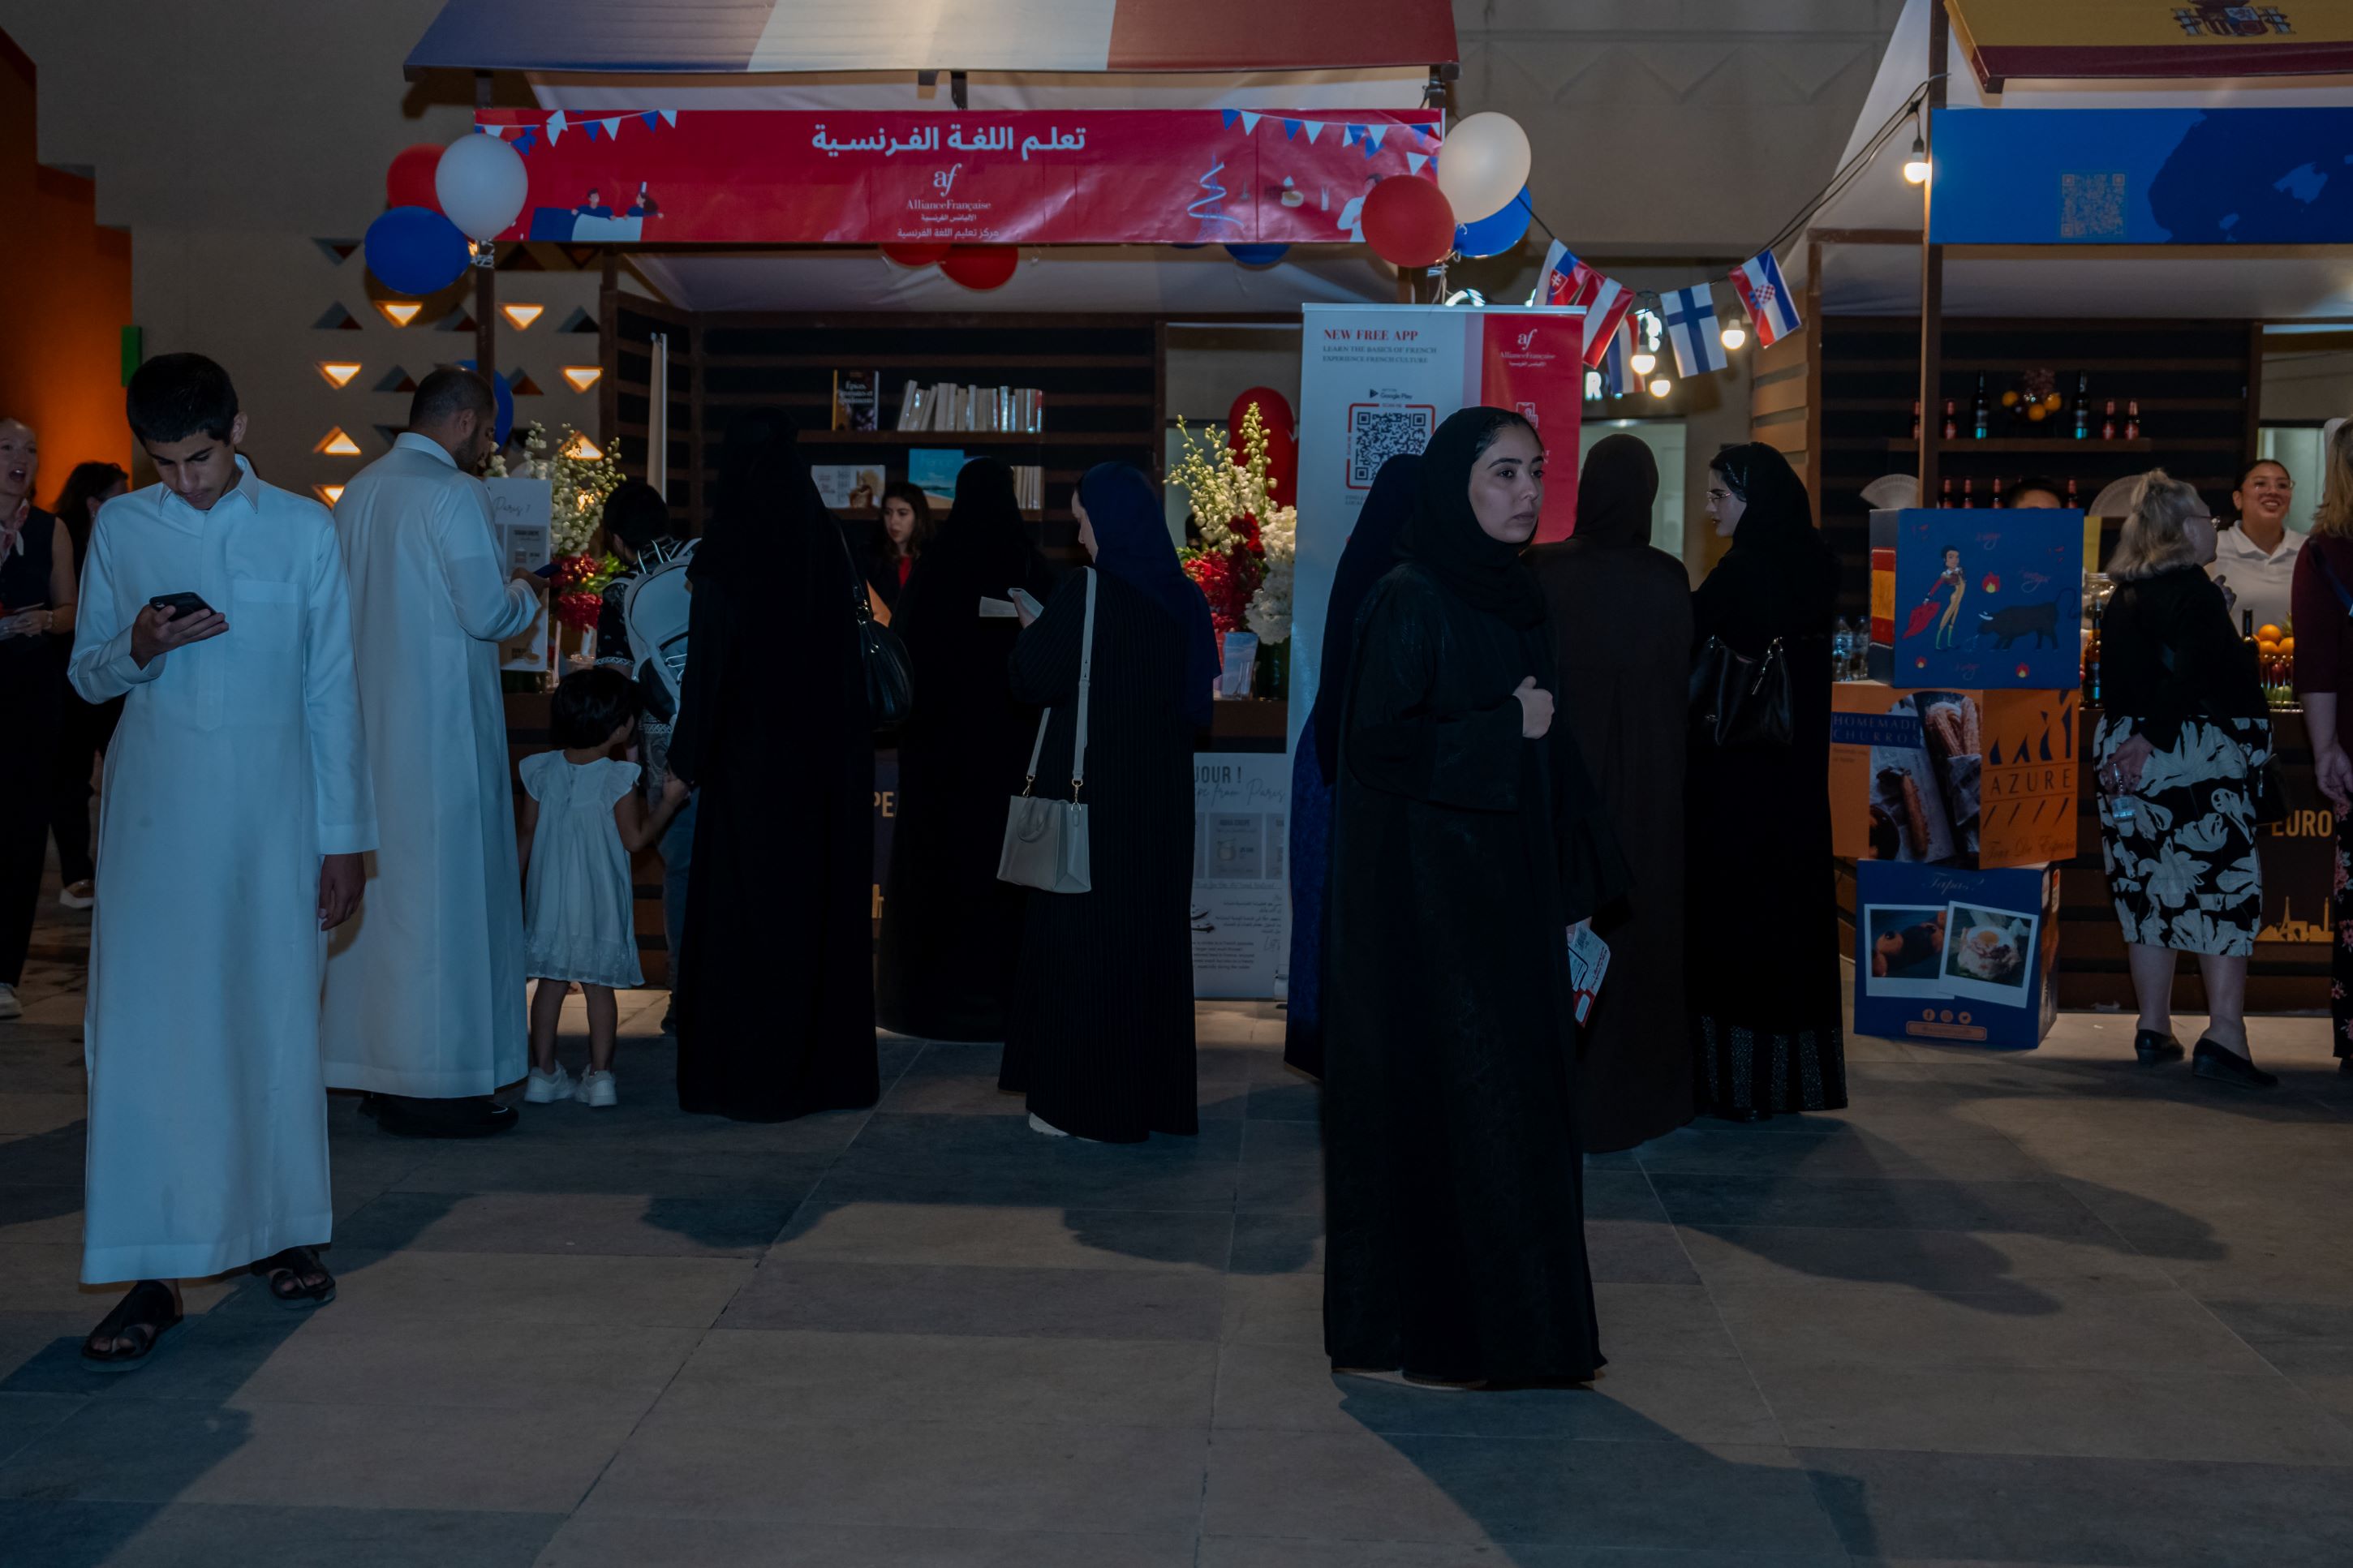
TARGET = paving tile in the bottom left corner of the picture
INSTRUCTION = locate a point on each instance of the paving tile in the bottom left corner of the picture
(145, 1536)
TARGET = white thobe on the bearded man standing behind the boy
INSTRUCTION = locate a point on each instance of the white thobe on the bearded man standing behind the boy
(425, 989)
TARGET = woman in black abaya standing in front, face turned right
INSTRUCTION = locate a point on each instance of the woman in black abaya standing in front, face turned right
(1467, 843)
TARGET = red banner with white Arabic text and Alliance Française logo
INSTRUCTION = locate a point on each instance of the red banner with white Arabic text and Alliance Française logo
(1018, 177)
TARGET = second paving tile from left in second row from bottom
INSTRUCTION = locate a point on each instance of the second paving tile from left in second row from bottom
(926, 1475)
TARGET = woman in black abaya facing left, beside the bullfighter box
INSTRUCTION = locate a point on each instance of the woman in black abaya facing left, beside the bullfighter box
(1764, 977)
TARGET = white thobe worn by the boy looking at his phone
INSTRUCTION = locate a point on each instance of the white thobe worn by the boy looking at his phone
(234, 770)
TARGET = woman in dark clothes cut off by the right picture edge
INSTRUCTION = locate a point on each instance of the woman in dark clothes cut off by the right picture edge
(2324, 603)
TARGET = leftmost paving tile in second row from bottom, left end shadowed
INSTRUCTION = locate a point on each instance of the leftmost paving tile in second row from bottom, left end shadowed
(319, 1456)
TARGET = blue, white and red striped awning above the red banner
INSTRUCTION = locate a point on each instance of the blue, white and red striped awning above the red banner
(799, 36)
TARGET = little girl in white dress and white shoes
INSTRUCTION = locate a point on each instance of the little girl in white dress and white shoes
(582, 822)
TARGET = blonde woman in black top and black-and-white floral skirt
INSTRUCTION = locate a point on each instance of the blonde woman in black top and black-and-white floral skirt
(2180, 760)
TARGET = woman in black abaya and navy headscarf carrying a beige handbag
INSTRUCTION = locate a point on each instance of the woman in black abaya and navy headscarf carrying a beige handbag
(1100, 1036)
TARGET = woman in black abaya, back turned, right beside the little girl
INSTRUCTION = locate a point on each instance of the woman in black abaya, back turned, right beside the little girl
(775, 1005)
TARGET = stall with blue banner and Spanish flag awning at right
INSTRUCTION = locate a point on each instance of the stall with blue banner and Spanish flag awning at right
(2077, 293)
